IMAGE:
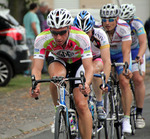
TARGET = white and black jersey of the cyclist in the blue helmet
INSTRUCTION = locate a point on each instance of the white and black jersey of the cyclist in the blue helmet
(99, 40)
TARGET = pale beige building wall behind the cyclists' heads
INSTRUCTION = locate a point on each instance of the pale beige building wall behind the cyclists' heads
(142, 6)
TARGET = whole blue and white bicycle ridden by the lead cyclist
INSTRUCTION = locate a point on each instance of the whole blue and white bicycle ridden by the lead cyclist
(63, 112)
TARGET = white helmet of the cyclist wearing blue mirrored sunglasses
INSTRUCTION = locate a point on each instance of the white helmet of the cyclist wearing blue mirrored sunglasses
(109, 10)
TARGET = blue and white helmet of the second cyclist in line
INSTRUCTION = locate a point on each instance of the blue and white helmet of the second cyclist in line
(84, 20)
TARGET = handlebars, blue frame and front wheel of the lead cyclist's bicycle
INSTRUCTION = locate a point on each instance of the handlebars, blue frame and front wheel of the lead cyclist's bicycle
(62, 111)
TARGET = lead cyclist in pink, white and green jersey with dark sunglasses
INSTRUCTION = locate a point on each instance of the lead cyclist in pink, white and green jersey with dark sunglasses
(66, 47)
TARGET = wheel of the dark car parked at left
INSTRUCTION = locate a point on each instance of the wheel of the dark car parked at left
(6, 72)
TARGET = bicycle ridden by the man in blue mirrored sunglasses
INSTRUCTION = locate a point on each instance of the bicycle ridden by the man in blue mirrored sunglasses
(115, 111)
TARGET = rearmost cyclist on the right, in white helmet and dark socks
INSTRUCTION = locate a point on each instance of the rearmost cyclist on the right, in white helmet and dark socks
(138, 49)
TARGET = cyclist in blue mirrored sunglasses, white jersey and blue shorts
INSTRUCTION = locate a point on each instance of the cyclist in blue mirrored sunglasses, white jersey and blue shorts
(119, 36)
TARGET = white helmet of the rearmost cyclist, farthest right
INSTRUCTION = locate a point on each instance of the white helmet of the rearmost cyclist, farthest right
(127, 11)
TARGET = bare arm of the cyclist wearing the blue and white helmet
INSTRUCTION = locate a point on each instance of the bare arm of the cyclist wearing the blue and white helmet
(105, 55)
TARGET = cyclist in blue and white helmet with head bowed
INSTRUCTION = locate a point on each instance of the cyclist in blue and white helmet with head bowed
(101, 54)
